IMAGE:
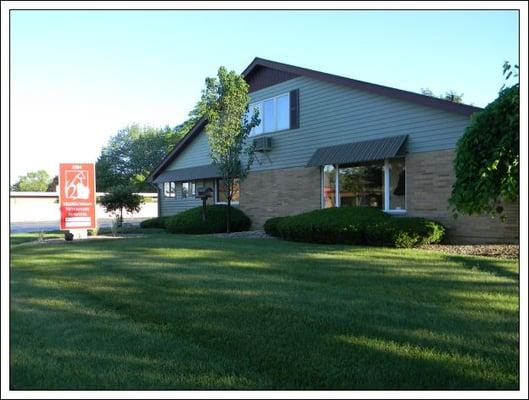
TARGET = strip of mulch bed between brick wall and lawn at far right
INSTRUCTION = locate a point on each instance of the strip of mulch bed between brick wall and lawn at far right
(505, 251)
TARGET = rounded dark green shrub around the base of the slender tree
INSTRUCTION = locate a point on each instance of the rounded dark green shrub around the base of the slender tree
(190, 221)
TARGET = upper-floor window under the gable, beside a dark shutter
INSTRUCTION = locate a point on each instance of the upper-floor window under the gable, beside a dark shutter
(274, 114)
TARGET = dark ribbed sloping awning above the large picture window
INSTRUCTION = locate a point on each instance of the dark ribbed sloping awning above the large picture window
(356, 152)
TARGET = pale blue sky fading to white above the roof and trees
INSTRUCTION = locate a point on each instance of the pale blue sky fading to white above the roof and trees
(79, 76)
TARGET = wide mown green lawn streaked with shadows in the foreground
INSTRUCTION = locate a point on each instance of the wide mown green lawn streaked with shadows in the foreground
(177, 312)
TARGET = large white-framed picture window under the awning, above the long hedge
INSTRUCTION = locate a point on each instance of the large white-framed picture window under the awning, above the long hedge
(381, 185)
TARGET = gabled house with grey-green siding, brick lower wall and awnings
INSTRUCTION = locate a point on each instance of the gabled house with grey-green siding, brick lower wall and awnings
(330, 141)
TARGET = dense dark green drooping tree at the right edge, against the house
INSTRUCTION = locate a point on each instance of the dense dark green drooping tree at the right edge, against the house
(487, 156)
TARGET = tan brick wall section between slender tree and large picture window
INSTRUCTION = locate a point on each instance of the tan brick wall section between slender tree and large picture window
(279, 192)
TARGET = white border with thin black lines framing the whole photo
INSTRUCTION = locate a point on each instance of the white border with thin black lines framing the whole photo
(521, 393)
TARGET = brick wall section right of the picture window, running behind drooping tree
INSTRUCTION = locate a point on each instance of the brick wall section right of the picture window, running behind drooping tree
(429, 179)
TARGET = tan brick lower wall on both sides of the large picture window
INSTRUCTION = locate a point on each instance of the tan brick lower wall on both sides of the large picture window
(429, 179)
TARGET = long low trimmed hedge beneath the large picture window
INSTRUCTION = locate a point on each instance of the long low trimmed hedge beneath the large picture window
(357, 226)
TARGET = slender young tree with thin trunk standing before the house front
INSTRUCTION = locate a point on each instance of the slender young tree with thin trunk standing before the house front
(225, 103)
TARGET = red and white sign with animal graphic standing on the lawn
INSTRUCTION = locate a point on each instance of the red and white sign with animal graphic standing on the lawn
(77, 196)
